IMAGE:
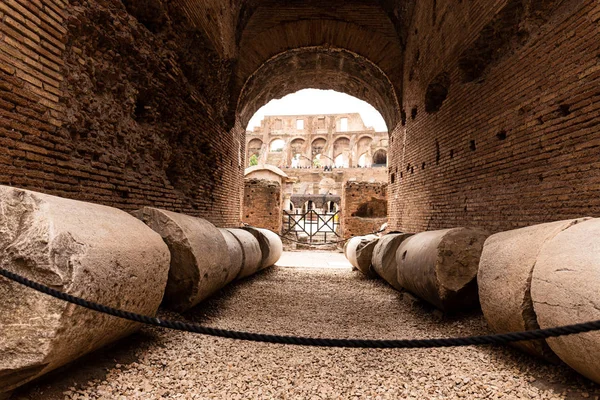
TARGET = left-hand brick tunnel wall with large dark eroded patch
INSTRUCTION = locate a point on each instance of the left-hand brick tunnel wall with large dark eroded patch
(100, 105)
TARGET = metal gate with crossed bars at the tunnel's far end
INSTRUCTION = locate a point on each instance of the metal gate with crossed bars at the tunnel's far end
(316, 227)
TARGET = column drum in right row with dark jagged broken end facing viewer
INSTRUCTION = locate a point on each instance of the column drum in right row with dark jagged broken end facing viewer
(441, 266)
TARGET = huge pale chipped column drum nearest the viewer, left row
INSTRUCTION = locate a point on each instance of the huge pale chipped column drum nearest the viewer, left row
(99, 253)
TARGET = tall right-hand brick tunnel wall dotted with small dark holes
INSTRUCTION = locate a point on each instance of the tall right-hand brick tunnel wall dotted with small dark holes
(516, 141)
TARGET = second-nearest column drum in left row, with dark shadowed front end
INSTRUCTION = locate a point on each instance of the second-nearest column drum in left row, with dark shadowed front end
(199, 262)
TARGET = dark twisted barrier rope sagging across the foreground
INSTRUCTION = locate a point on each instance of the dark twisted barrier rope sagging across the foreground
(496, 339)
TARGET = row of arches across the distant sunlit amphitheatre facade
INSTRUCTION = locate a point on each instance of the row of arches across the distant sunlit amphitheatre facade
(341, 155)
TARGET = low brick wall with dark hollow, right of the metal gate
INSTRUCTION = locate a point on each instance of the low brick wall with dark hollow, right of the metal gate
(364, 207)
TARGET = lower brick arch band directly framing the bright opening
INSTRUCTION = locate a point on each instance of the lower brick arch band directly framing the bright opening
(319, 68)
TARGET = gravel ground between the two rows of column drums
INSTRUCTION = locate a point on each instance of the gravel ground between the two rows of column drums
(157, 364)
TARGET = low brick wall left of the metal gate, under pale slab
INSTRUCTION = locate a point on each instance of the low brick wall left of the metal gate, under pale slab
(262, 204)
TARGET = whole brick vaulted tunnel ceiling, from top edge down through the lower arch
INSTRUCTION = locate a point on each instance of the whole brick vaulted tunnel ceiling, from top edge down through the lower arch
(371, 68)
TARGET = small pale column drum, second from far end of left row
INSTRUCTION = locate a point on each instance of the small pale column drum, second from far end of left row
(250, 256)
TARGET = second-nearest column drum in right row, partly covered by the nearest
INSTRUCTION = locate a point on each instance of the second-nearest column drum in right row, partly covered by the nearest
(504, 280)
